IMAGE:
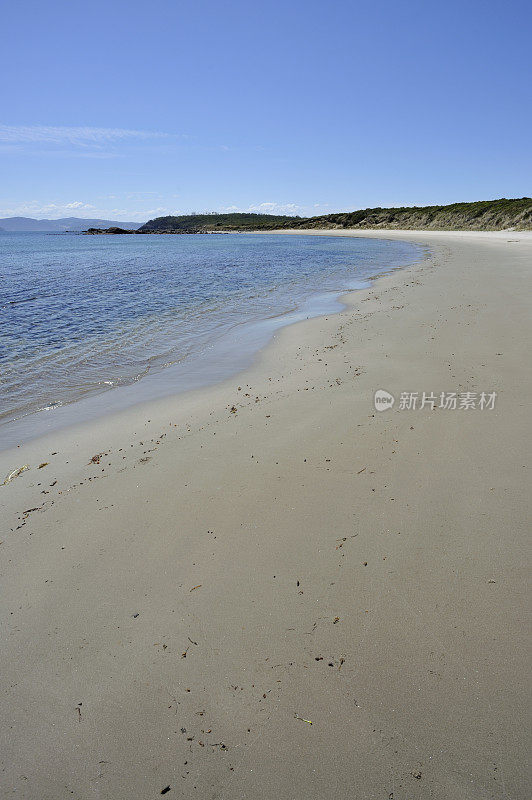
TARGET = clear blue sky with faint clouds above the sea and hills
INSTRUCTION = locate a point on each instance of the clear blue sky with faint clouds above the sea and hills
(131, 110)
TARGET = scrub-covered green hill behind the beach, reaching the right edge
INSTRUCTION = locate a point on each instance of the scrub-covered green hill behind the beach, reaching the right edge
(480, 216)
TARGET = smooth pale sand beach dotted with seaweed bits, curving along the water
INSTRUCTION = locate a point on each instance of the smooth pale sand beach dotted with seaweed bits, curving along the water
(167, 612)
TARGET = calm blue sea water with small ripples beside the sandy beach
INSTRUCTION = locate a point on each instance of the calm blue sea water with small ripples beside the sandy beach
(80, 315)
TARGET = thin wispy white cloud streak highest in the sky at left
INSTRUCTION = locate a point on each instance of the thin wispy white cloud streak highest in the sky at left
(79, 136)
